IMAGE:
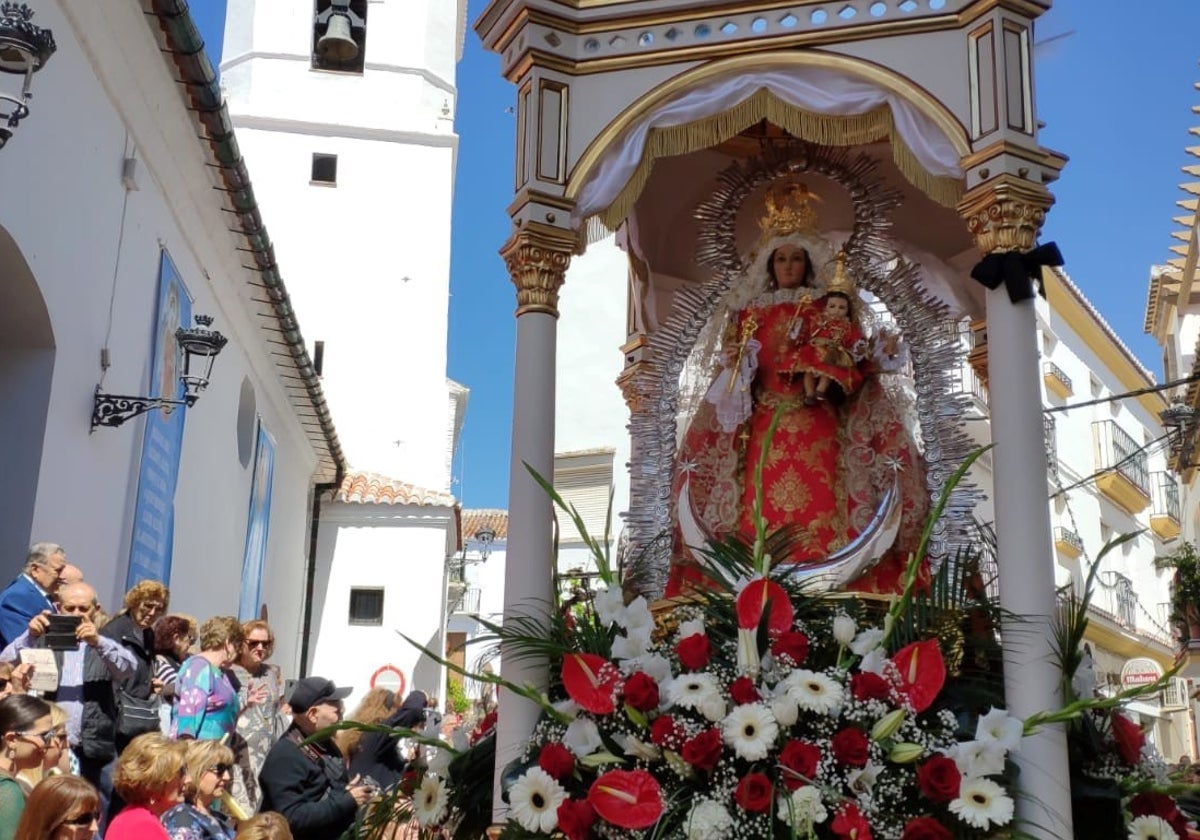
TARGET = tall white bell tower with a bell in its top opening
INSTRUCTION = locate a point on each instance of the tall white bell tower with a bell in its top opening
(345, 113)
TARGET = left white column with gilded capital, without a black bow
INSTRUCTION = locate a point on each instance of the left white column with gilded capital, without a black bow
(537, 259)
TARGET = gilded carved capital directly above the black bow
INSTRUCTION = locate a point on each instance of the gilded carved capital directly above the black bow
(1005, 214)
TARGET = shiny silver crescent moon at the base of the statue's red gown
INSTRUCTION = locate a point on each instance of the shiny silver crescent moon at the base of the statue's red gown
(838, 571)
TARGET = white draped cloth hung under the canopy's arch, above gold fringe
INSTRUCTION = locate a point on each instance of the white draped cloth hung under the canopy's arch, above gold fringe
(817, 91)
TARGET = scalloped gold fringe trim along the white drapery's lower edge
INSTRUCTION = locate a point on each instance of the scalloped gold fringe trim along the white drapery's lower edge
(821, 129)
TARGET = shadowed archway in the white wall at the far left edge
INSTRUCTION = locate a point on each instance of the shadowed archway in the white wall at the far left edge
(27, 368)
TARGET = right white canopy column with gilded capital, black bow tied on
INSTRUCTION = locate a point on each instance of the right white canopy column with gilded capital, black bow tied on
(1005, 217)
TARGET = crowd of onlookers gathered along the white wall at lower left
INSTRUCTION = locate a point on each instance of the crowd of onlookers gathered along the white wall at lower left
(151, 725)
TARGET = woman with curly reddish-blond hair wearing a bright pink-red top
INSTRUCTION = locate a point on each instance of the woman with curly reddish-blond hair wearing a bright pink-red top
(151, 779)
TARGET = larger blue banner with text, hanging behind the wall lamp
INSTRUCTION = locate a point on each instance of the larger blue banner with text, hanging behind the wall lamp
(154, 515)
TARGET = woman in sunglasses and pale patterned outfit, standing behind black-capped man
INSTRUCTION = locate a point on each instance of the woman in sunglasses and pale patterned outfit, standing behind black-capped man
(263, 723)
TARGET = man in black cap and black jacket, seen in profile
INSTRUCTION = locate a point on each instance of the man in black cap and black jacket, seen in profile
(308, 783)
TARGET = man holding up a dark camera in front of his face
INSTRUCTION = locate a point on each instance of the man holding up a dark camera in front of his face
(88, 663)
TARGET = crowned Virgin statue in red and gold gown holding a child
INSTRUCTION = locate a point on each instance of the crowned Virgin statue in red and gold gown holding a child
(831, 460)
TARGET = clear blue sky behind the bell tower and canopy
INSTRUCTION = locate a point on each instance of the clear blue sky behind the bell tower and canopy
(1115, 97)
